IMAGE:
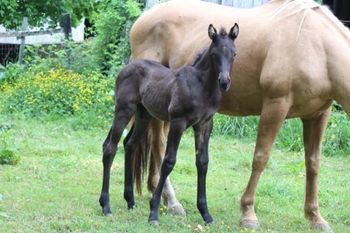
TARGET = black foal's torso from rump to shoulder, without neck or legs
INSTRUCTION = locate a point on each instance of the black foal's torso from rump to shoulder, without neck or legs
(158, 88)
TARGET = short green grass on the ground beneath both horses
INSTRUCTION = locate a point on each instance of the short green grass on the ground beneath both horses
(56, 185)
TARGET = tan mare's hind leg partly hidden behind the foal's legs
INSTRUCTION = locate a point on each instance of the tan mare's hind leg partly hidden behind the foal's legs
(159, 130)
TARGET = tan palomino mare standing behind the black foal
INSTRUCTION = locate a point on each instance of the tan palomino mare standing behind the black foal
(296, 61)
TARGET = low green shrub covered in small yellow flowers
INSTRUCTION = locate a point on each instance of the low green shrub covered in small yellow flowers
(57, 91)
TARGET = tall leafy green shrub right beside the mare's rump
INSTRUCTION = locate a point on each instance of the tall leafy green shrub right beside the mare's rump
(112, 23)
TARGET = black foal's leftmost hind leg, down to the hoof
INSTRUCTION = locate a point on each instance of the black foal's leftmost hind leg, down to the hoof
(122, 116)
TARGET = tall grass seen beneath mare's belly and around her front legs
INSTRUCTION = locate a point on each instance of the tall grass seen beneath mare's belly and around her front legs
(336, 141)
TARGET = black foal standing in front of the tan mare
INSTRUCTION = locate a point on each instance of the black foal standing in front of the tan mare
(186, 97)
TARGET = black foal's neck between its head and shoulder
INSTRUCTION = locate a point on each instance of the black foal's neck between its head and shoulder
(205, 66)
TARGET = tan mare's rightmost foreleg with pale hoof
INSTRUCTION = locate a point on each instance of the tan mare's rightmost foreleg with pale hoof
(313, 133)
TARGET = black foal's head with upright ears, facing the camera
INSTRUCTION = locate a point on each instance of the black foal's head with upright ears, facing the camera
(222, 52)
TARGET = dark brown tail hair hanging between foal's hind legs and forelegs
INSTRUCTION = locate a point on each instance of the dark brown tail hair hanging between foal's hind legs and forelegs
(140, 159)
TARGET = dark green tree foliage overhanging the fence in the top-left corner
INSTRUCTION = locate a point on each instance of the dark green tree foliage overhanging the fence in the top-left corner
(40, 12)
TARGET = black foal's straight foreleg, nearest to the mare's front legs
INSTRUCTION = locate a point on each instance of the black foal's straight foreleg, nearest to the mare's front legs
(202, 135)
